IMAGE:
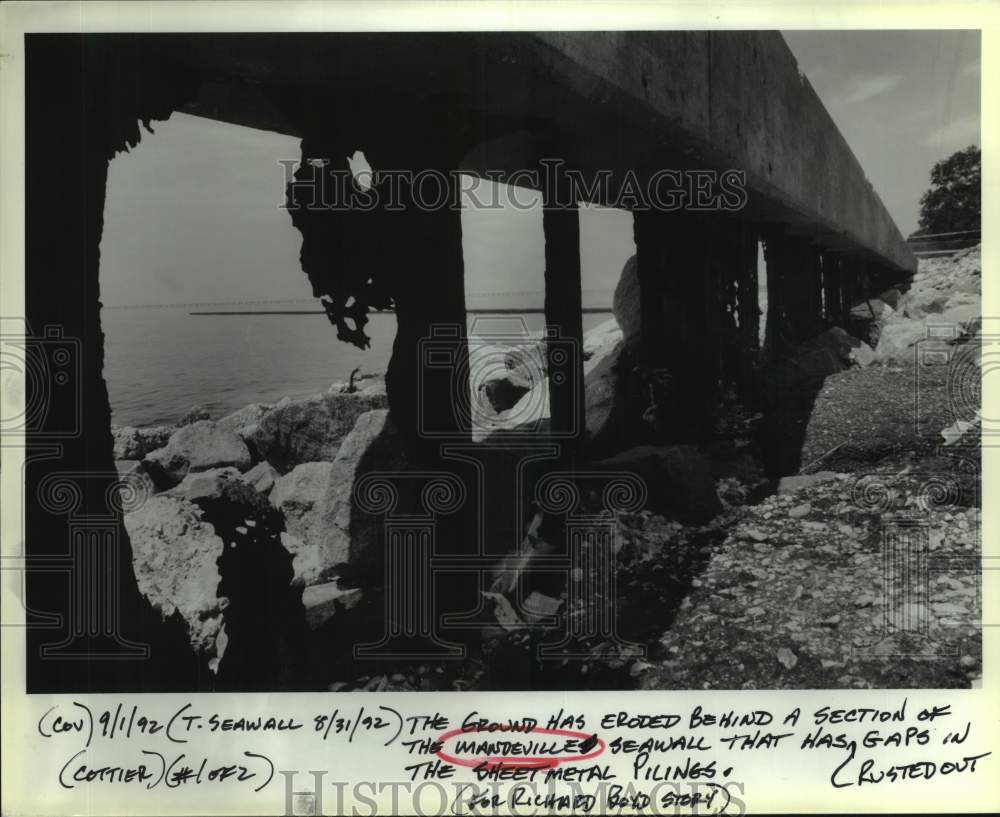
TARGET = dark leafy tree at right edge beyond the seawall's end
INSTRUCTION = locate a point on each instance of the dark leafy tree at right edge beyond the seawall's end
(953, 201)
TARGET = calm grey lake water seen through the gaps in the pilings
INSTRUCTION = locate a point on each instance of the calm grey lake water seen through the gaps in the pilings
(161, 362)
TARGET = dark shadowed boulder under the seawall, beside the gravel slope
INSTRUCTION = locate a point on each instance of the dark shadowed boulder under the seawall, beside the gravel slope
(678, 480)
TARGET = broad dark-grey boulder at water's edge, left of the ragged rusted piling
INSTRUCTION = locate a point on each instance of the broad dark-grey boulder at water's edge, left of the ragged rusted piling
(310, 430)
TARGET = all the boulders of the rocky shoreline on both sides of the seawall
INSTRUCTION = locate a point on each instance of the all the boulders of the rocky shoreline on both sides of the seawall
(245, 531)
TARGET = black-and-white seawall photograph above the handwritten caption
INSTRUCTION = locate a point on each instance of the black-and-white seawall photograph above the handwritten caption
(499, 361)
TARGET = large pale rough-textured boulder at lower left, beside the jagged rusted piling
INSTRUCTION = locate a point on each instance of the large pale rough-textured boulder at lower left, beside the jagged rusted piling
(174, 554)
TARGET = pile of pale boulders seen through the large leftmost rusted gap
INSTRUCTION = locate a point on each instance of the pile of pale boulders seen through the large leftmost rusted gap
(283, 472)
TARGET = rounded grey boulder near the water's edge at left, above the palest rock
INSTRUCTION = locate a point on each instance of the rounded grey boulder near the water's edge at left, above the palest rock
(200, 446)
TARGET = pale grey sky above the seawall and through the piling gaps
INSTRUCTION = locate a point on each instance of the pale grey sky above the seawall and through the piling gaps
(193, 212)
